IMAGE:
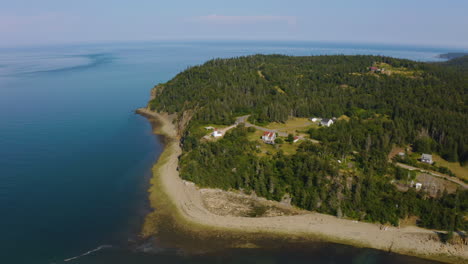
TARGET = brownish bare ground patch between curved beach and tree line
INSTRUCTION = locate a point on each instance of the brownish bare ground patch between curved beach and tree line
(227, 203)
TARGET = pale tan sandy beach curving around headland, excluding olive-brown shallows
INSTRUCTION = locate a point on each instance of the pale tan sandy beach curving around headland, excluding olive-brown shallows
(188, 203)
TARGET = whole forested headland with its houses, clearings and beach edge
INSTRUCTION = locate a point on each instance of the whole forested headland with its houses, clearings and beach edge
(363, 150)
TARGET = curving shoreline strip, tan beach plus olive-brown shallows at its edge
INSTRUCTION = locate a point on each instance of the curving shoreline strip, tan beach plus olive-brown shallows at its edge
(179, 206)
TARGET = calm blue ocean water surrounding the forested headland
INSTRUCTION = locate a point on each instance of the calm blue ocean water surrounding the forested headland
(75, 159)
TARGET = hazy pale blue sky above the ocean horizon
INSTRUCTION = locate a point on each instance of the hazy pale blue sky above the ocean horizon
(419, 22)
